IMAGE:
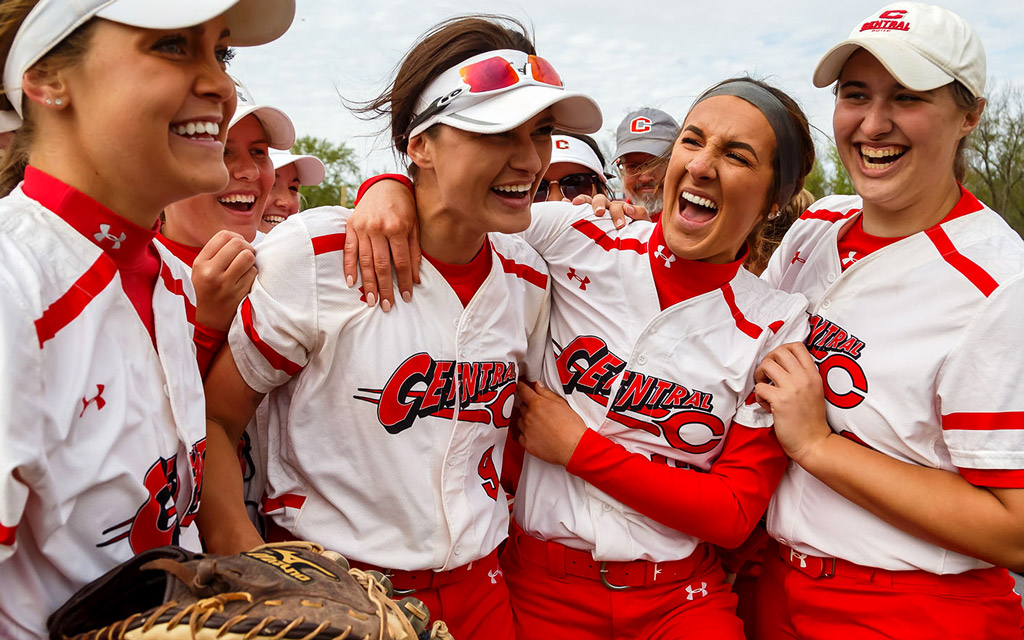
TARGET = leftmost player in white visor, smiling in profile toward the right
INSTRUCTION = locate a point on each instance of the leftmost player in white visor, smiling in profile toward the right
(102, 440)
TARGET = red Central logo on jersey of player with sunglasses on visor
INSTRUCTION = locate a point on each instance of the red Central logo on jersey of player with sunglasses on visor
(422, 387)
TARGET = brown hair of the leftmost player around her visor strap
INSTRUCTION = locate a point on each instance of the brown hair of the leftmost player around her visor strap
(69, 53)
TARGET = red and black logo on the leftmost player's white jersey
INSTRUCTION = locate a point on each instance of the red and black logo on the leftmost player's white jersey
(157, 523)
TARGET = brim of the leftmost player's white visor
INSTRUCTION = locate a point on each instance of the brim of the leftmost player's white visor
(251, 22)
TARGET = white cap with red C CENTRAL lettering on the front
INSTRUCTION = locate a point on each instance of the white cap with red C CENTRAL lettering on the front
(923, 47)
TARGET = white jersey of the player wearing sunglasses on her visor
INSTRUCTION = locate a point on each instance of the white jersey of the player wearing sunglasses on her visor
(386, 443)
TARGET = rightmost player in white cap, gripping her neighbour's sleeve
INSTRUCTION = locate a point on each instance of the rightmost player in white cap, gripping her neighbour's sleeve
(910, 445)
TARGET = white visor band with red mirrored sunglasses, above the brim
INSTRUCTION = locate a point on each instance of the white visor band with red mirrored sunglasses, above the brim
(479, 78)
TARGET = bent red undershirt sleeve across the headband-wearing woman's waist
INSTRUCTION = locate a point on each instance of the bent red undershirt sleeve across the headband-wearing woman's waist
(721, 506)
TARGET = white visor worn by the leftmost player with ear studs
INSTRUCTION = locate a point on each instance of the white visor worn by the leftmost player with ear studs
(251, 23)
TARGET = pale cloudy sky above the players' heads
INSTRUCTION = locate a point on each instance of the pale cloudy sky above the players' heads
(626, 55)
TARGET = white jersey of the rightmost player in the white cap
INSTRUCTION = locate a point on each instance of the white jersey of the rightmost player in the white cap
(919, 346)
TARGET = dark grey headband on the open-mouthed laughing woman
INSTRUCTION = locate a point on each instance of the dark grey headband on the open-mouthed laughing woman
(787, 137)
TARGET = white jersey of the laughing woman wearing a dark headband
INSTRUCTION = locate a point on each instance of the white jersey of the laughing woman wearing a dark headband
(665, 385)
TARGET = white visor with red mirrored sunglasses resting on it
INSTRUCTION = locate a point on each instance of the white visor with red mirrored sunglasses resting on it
(451, 99)
